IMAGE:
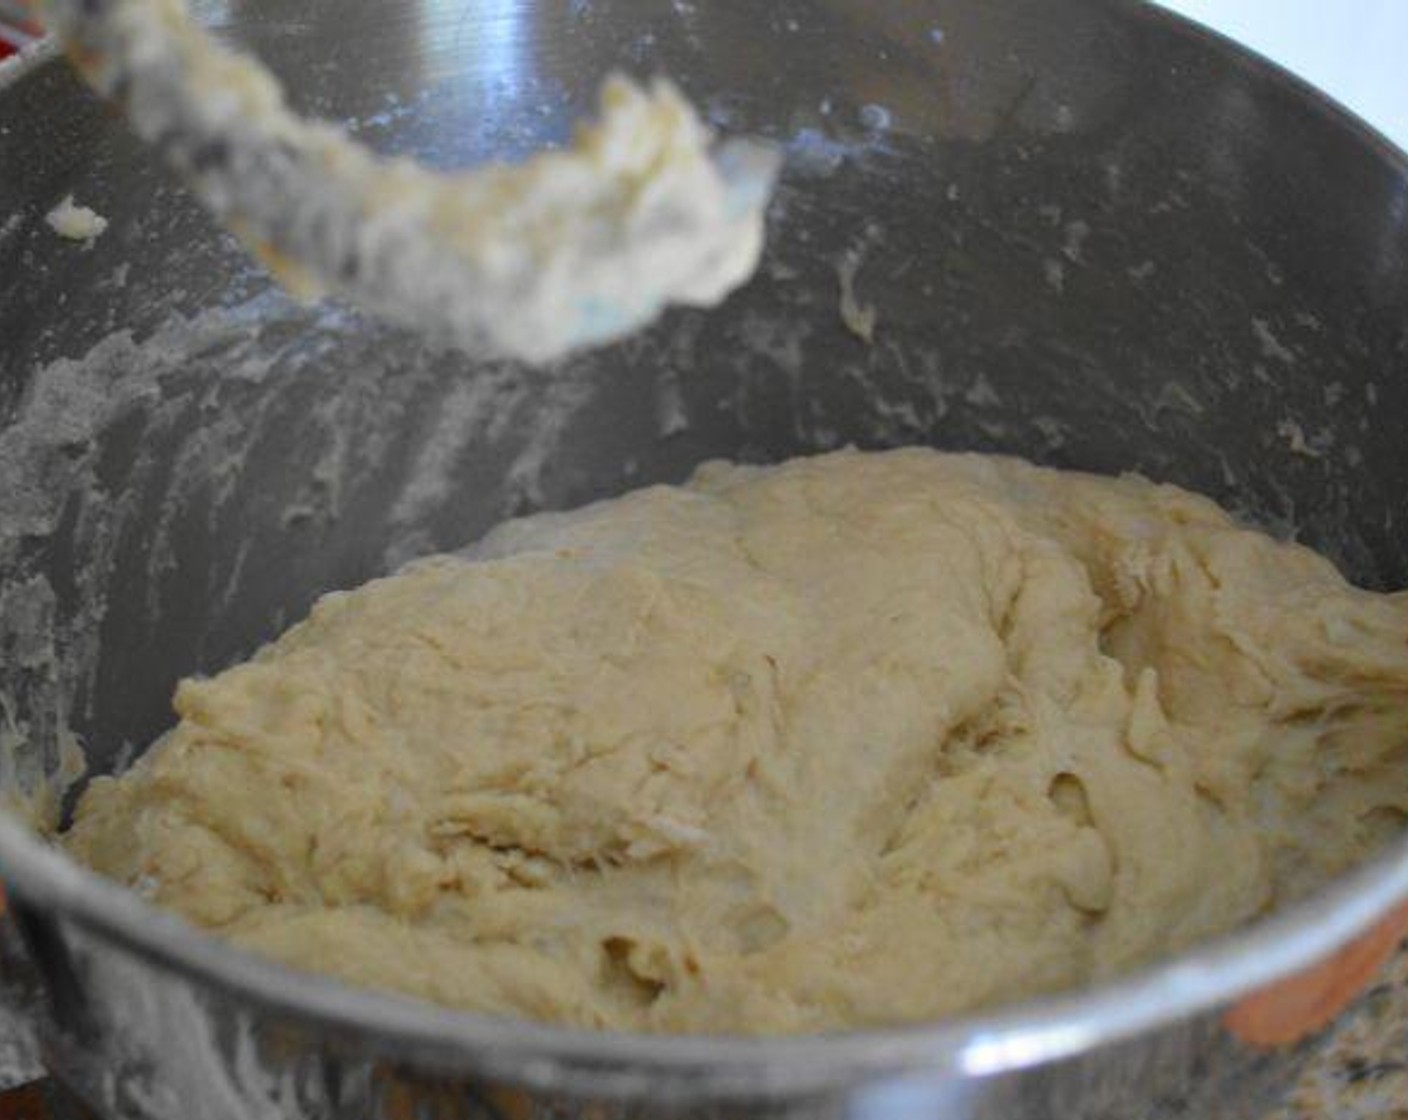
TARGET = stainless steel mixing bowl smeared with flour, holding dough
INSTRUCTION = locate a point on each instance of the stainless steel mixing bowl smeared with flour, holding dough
(1090, 235)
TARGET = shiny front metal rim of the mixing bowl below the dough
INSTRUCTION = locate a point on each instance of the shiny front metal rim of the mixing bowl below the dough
(1014, 1038)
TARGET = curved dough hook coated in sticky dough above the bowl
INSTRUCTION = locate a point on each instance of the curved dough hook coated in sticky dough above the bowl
(572, 249)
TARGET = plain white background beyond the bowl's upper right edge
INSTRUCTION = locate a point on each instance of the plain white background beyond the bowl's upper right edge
(1355, 50)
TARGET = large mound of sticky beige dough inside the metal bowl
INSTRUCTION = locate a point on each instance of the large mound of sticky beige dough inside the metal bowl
(861, 739)
